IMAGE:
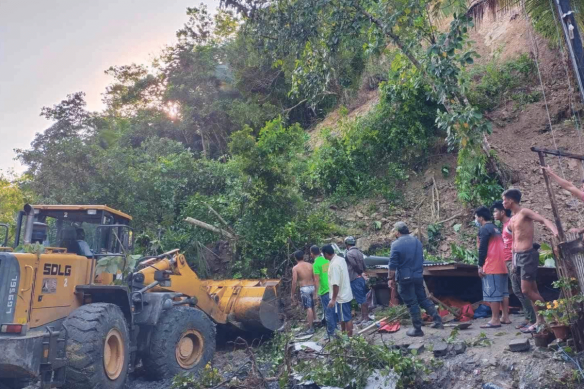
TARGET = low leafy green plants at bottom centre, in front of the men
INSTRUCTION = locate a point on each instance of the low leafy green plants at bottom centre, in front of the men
(354, 359)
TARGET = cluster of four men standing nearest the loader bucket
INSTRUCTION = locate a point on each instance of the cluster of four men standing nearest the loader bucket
(336, 280)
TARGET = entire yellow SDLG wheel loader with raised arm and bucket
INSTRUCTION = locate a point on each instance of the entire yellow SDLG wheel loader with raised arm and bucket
(68, 326)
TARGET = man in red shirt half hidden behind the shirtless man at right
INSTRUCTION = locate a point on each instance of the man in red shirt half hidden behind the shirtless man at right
(504, 216)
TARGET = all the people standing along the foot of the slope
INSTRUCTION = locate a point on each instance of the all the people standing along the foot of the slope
(506, 253)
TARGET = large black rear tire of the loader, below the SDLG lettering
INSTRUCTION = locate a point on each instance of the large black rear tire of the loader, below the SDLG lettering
(98, 347)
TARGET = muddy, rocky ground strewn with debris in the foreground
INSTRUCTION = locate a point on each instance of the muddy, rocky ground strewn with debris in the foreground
(488, 363)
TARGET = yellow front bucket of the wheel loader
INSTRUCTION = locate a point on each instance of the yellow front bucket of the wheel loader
(252, 305)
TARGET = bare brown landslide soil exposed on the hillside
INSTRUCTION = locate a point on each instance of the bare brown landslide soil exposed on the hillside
(515, 131)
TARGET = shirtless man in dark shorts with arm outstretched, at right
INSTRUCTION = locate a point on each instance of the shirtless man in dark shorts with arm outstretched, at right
(525, 256)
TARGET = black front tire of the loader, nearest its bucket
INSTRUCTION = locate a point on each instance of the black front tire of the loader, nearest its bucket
(182, 342)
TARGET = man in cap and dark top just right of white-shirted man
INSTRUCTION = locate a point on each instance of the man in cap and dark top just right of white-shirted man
(356, 266)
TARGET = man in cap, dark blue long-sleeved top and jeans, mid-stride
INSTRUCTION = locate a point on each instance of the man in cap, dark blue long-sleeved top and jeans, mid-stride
(406, 266)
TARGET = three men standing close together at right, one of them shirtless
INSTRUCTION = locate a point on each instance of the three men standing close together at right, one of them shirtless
(510, 253)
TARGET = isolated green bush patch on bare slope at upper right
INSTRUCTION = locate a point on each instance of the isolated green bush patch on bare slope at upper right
(494, 83)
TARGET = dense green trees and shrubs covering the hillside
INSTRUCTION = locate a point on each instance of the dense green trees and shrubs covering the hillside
(219, 121)
